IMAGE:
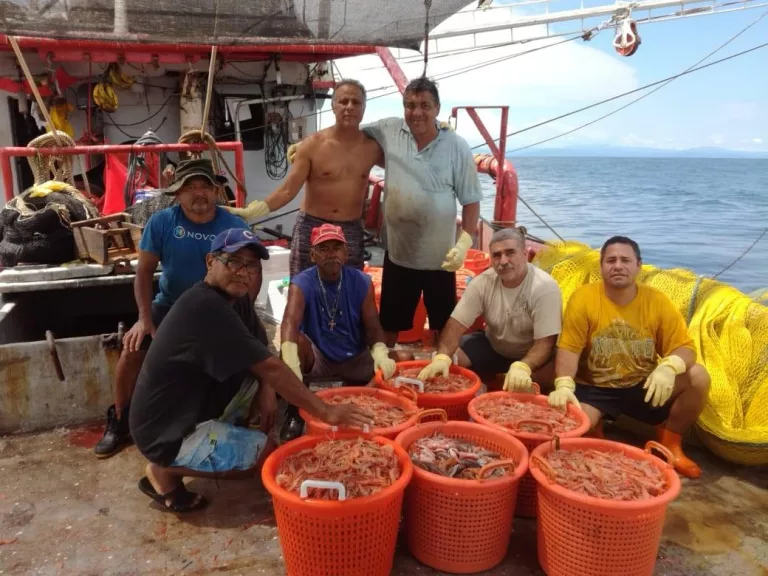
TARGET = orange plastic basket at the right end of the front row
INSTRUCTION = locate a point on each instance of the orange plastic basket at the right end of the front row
(582, 535)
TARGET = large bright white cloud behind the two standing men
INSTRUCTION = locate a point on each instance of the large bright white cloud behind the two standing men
(538, 84)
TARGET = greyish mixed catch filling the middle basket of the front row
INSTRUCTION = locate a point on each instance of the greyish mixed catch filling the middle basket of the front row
(452, 457)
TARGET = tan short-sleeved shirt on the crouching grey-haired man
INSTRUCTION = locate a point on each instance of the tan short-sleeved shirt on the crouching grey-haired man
(514, 317)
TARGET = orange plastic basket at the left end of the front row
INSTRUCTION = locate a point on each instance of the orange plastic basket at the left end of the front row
(328, 538)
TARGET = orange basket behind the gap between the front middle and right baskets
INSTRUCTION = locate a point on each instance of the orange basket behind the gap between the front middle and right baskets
(526, 499)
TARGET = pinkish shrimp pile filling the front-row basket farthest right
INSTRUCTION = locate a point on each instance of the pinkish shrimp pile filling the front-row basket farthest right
(607, 475)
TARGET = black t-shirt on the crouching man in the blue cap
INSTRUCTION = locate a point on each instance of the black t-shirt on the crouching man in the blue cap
(195, 366)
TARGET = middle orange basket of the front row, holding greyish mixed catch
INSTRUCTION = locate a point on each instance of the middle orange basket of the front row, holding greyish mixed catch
(462, 526)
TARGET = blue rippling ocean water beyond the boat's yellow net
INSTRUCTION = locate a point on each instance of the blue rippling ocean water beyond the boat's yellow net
(699, 214)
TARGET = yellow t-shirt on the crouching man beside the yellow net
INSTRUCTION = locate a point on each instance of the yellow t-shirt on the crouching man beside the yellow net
(619, 345)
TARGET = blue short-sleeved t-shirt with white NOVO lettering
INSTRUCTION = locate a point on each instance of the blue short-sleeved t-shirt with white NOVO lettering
(182, 246)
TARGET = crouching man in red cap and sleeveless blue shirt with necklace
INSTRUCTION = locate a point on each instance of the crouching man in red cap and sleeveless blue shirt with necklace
(329, 322)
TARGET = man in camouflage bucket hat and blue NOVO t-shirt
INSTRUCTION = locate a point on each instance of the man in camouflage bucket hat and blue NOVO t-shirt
(179, 238)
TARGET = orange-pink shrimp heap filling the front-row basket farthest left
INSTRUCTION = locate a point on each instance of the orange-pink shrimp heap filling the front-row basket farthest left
(363, 466)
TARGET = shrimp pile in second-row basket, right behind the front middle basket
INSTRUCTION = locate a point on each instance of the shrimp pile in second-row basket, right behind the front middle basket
(507, 412)
